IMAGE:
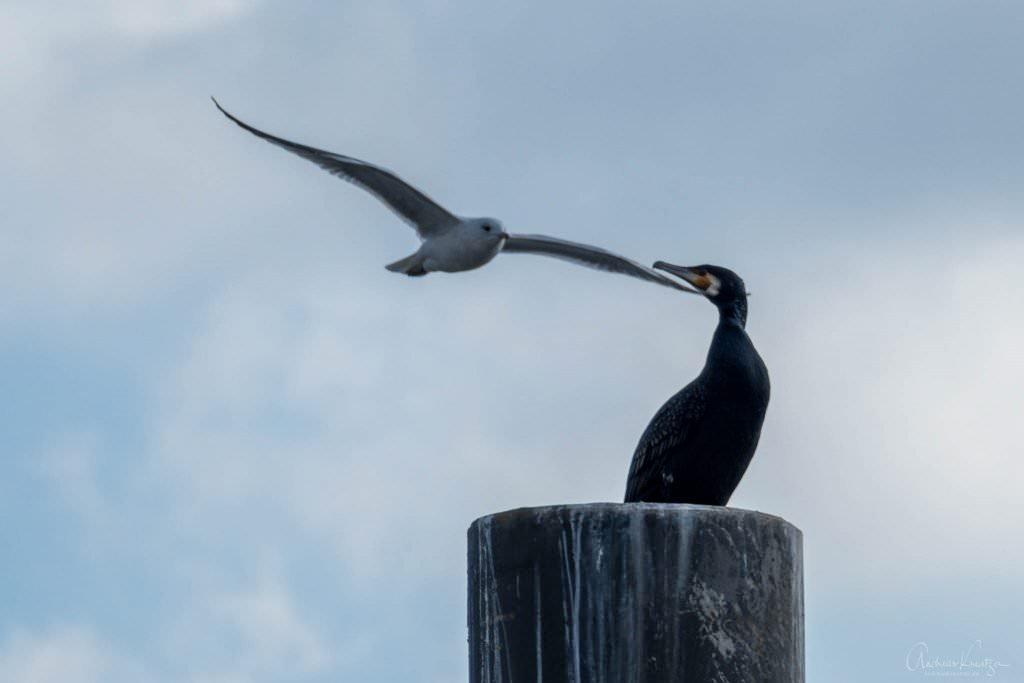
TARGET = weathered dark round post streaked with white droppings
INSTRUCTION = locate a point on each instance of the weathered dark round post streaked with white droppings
(635, 593)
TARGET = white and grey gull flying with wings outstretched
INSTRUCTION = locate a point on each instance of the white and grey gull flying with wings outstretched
(451, 243)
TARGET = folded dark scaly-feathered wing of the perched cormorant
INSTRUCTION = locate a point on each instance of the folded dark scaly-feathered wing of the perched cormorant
(667, 433)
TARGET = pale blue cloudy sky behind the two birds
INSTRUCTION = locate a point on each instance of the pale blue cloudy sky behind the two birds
(236, 450)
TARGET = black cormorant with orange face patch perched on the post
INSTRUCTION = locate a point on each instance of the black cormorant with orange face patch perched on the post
(699, 445)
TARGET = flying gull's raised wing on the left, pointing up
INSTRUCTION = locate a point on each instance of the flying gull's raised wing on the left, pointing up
(429, 218)
